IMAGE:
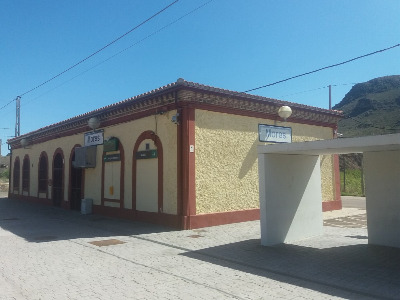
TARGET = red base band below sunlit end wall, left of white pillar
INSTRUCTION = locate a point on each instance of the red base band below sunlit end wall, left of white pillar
(215, 219)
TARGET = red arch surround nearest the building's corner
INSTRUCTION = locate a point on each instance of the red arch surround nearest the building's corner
(149, 135)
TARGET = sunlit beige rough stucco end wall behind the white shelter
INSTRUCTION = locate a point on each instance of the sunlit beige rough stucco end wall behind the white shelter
(226, 160)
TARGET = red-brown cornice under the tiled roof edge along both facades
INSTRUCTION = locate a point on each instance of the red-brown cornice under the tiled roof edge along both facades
(78, 124)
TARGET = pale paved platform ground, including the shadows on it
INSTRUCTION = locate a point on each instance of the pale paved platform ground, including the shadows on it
(51, 253)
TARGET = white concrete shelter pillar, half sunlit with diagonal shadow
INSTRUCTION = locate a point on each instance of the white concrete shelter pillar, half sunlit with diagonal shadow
(290, 197)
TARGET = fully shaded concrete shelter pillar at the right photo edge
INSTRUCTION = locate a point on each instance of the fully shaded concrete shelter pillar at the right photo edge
(382, 189)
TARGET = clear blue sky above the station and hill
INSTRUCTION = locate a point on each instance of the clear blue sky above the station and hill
(231, 44)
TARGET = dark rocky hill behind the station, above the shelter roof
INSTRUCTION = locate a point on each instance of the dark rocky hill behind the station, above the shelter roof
(371, 108)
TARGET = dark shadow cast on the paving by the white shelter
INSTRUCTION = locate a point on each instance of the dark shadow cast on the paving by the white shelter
(361, 271)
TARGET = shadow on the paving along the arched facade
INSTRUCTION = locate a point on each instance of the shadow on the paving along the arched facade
(41, 223)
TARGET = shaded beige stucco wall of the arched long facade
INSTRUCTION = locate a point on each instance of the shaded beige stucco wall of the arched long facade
(127, 133)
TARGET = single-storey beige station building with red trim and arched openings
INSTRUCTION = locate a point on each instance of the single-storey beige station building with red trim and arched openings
(183, 155)
